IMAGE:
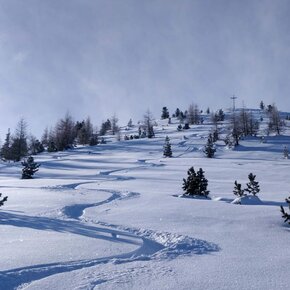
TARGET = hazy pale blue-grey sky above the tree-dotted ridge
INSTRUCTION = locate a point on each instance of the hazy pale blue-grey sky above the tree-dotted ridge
(97, 58)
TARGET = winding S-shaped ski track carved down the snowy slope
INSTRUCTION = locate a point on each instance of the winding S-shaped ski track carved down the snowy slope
(153, 245)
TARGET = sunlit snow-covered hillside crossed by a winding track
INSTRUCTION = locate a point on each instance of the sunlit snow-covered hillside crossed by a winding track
(110, 216)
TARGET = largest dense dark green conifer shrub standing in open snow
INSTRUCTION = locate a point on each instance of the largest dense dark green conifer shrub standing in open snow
(196, 183)
